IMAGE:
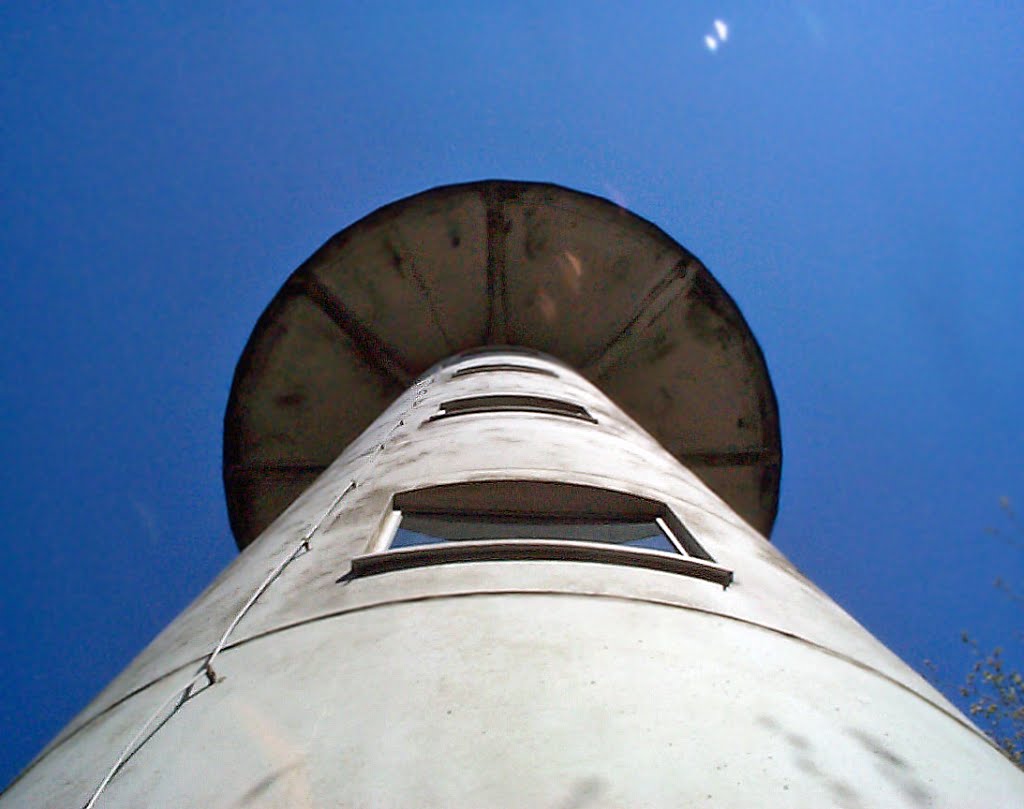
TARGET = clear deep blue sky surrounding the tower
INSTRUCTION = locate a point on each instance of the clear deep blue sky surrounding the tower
(854, 177)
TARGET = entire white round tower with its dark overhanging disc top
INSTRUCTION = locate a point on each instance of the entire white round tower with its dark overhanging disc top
(503, 460)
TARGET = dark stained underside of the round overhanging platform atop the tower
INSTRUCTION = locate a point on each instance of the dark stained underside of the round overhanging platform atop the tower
(529, 265)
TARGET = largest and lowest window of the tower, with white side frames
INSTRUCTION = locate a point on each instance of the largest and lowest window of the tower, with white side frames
(519, 520)
